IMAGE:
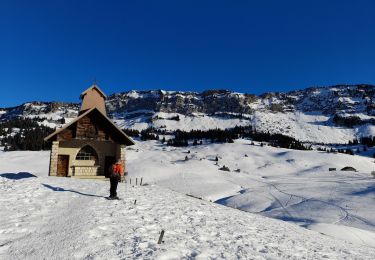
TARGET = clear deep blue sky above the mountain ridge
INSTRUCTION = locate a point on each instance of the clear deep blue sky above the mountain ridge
(52, 50)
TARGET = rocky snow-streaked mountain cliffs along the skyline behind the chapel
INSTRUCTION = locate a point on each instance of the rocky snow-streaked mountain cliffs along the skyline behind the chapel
(335, 114)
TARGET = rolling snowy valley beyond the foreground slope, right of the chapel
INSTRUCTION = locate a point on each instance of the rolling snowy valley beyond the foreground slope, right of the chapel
(291, 185)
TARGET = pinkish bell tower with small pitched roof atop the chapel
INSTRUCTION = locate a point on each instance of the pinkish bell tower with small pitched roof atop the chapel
(93, 97)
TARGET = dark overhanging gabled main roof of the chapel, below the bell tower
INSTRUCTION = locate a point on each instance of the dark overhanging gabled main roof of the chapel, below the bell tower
(118, 135)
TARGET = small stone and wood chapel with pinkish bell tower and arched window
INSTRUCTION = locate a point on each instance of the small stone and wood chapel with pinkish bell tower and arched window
(91, 143)
